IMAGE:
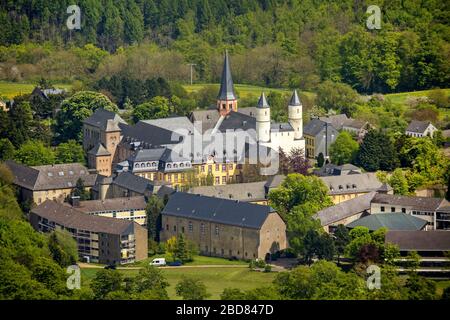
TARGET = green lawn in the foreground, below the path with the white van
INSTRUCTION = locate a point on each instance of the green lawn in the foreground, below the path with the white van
(216, 279)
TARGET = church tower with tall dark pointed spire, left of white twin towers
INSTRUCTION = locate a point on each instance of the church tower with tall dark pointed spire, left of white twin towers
(226, 100)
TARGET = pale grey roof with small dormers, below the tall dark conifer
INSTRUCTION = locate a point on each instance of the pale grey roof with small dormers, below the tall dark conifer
(352, 183)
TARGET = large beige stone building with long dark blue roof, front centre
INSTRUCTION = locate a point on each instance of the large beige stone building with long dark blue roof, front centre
(224, 228)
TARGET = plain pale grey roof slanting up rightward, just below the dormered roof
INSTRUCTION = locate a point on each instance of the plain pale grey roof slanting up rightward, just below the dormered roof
(344, 209)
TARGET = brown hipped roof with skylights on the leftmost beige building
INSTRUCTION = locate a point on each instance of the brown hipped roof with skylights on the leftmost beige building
(49, 177)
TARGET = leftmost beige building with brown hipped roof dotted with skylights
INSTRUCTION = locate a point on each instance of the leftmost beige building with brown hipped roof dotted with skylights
(50, 182)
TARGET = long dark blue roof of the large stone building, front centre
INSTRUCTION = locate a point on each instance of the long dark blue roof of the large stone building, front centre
(217, 210)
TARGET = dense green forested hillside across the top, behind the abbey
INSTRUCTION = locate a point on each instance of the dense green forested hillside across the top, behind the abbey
(275, 43)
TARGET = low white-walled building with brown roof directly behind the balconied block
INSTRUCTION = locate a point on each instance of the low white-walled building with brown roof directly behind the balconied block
(132, 209)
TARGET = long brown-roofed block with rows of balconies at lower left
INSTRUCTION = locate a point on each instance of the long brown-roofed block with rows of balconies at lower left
(99, 239)
